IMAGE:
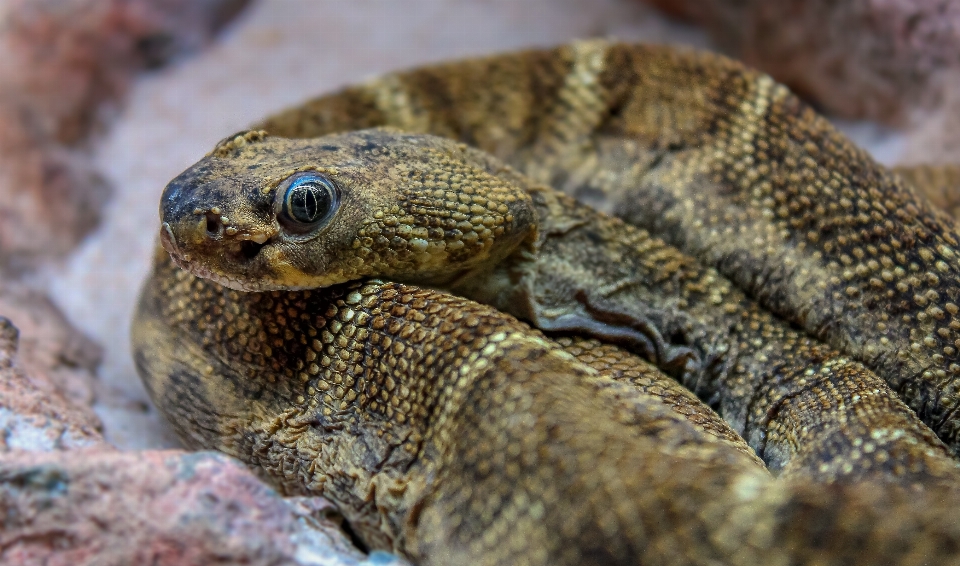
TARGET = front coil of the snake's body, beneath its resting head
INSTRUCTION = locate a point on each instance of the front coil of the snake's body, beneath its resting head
(452, 433)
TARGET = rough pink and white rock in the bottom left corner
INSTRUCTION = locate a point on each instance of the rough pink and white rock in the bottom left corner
(104, 507)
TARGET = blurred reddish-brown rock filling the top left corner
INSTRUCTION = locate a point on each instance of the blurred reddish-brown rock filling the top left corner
(63, 64)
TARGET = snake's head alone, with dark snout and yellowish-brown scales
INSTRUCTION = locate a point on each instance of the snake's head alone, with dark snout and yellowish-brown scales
(264, 213)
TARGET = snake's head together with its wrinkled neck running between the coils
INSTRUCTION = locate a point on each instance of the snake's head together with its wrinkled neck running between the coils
(385, 205)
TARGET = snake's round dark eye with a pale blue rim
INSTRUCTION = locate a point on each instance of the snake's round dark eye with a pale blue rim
(307, 201)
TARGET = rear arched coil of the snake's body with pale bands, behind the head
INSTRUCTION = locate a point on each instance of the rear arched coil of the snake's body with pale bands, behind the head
(720, 161)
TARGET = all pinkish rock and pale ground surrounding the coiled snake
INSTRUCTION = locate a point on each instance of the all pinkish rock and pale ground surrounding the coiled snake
(103, 101)
